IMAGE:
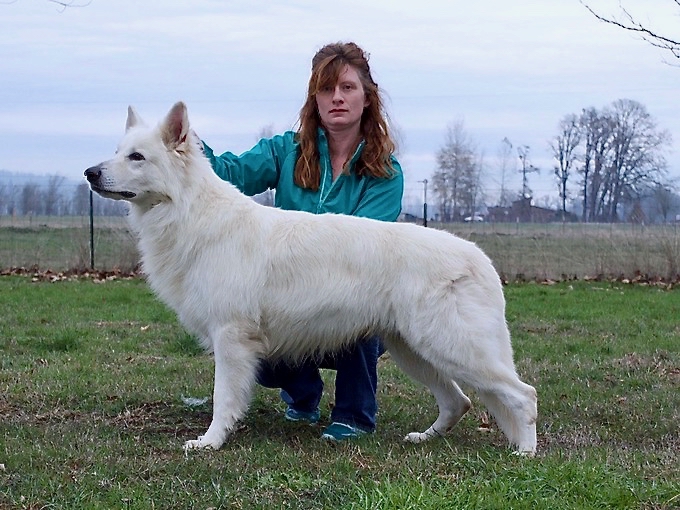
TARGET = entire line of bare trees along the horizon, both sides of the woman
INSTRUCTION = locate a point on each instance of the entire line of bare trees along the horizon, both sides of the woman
(607, 161)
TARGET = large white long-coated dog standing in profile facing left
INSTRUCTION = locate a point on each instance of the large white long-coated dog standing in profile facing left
(254, 282)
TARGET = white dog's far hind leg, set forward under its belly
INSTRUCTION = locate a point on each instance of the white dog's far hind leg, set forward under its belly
(452, 402)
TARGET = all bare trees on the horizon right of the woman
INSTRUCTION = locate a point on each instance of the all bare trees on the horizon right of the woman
(606, 161)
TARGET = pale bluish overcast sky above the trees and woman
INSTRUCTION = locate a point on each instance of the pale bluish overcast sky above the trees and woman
(505, 69)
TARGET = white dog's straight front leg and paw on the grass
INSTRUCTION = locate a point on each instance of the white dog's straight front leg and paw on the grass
(235, 370)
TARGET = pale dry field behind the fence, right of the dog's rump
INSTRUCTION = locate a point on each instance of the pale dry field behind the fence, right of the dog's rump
(559, 251)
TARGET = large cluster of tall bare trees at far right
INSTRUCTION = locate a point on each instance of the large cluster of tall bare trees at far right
(616, 155)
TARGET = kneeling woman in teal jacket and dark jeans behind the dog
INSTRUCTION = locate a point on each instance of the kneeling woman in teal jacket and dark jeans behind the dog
(340, 160)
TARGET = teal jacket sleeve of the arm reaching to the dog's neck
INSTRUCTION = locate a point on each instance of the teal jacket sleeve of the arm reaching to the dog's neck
(254, 171)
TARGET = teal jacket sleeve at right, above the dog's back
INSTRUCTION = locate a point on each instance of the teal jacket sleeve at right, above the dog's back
(382, 199)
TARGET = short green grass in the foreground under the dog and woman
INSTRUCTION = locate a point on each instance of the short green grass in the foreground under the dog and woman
(93, 379)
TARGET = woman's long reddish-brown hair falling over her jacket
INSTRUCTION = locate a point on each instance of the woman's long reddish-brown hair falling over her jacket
(327, 66)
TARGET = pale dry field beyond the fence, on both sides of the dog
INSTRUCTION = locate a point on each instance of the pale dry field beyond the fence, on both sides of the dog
(519, 251)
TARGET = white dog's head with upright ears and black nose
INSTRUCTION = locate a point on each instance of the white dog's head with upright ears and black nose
(148, 164)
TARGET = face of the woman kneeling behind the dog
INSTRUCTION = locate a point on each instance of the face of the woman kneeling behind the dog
(341, 107)
